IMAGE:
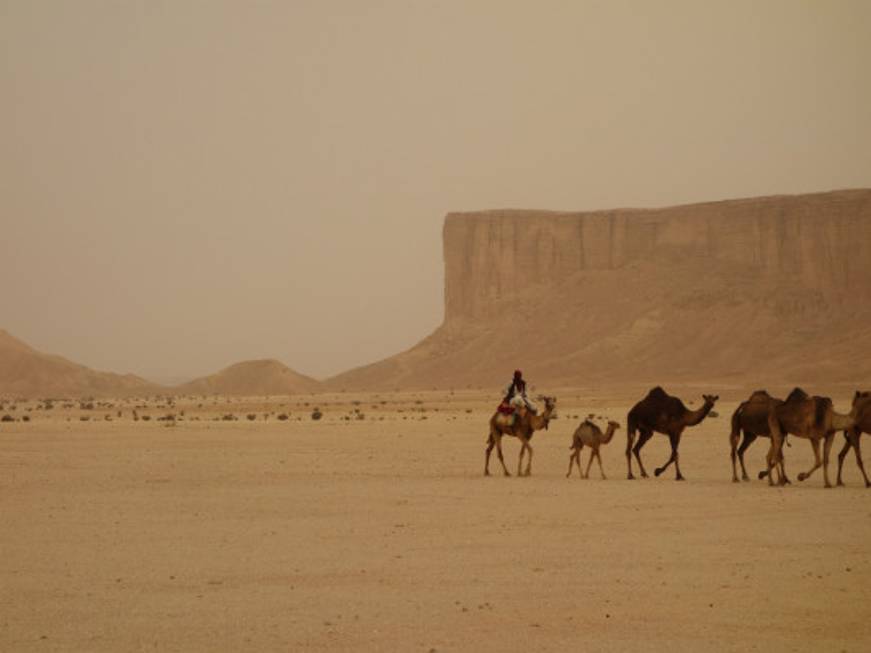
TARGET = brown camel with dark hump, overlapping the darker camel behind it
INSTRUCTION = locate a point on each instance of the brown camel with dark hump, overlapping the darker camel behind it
(812, 418)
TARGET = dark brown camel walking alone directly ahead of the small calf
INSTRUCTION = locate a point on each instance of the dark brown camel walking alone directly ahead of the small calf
(659, 412)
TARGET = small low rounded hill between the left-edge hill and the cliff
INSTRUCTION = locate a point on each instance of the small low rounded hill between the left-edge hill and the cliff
(252, 378)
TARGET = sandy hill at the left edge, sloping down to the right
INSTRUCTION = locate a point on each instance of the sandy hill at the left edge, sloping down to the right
(25, 372)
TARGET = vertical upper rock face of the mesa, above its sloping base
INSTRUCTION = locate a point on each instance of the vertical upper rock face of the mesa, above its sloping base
(817, 240)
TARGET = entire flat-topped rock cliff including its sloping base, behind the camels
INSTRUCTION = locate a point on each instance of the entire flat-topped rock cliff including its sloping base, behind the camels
(773, 289)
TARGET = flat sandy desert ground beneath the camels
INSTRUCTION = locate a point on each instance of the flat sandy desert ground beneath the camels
(382, 534)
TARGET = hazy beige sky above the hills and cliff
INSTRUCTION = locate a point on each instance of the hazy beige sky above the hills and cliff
(184, 185)
